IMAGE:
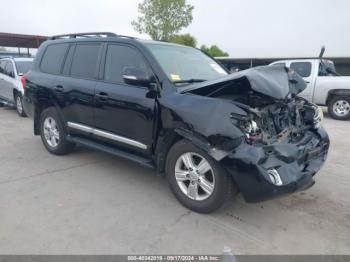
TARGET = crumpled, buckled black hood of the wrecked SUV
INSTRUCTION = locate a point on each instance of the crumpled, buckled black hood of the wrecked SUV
(277, 82)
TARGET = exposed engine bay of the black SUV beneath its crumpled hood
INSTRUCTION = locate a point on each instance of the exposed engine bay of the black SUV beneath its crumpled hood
(268, 120)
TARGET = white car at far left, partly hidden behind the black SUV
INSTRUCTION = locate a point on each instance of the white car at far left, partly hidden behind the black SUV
(12, 80)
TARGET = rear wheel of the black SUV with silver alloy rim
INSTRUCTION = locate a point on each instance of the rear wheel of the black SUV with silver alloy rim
(53, 133)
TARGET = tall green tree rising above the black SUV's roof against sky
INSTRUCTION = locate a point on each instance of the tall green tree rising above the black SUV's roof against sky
(161, 19)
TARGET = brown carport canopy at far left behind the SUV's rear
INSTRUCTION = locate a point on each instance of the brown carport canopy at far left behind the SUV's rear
(19, 40)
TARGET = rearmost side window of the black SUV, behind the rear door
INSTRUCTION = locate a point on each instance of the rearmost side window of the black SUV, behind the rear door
(53, 58)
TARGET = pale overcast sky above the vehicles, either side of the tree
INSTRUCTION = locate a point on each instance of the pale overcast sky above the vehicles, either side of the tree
(243, 28)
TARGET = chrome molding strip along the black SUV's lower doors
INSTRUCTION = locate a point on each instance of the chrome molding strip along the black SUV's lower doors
(107, 135)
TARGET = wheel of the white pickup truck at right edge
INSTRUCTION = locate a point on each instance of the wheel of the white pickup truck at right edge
(339, 107)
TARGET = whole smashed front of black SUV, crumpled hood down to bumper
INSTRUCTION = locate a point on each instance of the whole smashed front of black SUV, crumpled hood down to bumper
(281, 141)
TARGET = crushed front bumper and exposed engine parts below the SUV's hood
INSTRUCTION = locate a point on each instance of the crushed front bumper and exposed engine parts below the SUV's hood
(284, 148)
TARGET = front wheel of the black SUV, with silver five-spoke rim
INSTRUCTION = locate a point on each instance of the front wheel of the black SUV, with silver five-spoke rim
(219, 181)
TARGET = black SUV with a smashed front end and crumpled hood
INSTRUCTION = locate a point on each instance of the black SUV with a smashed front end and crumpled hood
(175, 109)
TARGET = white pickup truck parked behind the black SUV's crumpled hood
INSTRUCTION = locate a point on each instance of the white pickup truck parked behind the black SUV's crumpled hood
(324, 86)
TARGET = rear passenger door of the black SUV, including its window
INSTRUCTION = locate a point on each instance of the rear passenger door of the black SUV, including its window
(75, 87)
